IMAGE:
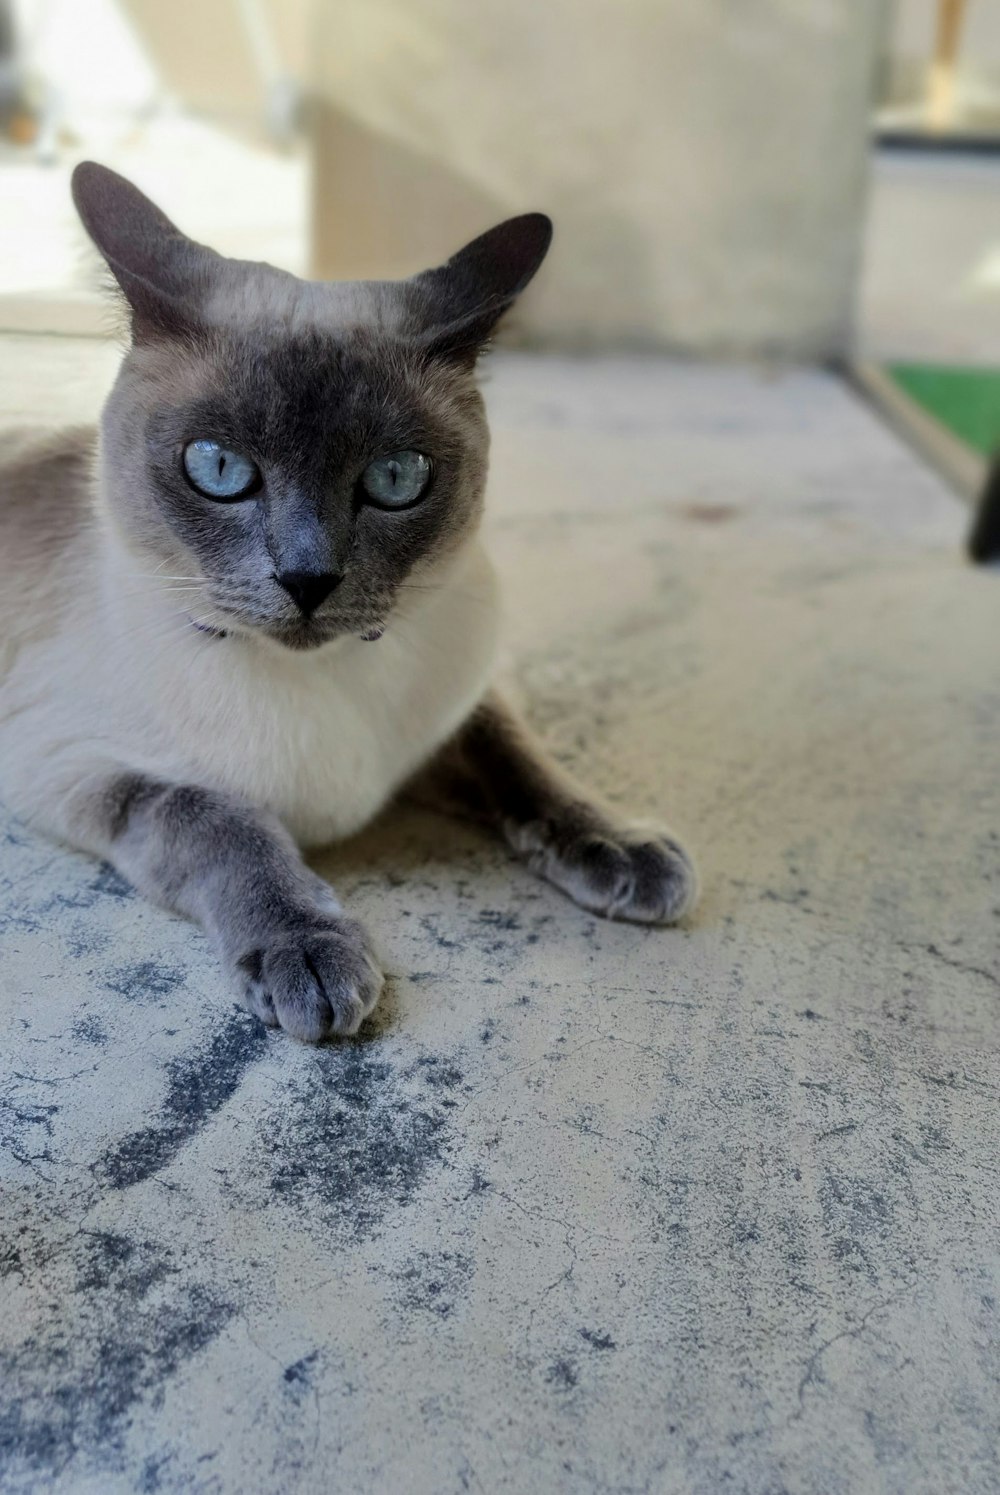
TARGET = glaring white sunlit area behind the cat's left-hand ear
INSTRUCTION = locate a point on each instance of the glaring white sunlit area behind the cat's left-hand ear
(92, 90)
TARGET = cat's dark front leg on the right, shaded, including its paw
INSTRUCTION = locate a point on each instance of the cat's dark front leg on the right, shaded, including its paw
(496, 771)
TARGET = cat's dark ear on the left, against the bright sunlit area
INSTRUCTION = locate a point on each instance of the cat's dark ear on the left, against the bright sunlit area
(164, 274)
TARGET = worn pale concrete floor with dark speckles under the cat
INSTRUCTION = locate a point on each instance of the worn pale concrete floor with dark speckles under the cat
(590, 1209)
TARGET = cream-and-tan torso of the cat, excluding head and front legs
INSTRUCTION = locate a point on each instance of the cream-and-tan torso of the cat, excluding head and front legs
(319, 738)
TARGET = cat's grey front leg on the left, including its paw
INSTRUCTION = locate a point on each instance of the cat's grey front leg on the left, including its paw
(295, 959)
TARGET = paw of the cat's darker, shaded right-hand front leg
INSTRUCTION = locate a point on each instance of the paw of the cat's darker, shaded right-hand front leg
(638, 874)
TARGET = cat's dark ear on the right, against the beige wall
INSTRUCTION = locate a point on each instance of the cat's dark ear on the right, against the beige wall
(461, 303)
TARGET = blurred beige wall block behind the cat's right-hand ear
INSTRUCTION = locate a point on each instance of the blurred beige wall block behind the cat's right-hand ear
(705, 161)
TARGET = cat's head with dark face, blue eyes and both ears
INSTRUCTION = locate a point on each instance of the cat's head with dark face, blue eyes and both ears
(294, 452)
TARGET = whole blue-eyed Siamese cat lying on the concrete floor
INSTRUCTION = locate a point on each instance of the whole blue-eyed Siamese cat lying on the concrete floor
(252, 608)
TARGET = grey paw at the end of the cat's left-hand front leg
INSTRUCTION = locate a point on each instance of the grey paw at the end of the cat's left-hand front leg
(315, 980)
